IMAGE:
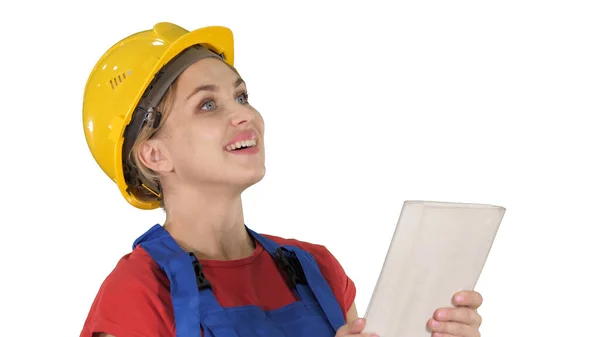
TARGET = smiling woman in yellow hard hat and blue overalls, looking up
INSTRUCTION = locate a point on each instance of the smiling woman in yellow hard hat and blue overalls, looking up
(167, 117)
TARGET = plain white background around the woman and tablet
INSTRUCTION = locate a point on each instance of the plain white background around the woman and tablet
(367, 104)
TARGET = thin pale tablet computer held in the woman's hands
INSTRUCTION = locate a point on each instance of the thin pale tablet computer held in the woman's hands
(437, 249)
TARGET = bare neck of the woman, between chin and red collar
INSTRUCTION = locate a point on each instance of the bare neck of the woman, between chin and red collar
(210, 225)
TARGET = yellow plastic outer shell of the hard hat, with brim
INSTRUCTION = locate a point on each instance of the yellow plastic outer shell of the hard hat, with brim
(120, 78)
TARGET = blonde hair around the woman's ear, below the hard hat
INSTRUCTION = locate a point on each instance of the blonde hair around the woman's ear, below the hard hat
(150, 188)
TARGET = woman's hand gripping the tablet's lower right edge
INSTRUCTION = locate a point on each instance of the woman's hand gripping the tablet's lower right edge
(460, 321)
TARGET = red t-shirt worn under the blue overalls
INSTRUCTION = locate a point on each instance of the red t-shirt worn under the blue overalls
(135, 300)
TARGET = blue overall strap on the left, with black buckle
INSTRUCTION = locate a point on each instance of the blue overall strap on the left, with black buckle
(190, 291)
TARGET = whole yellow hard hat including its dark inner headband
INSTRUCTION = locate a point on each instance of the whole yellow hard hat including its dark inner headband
(128, 82)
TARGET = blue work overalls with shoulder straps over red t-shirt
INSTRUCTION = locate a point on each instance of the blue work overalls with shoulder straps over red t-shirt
(195, 307)
